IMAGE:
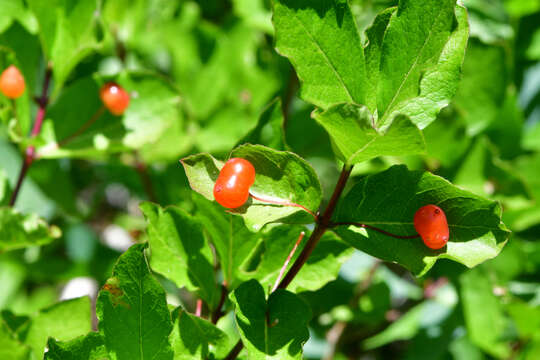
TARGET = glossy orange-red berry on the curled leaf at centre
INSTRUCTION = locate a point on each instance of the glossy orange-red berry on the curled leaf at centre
(232, 185)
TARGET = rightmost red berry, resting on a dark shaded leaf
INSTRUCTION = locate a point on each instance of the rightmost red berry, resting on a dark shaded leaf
(430, 223)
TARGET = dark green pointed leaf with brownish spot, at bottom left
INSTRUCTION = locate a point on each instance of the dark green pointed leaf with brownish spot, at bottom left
(132, 311)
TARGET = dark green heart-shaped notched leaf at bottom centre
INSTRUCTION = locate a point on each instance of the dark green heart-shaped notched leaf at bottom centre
(270, 329)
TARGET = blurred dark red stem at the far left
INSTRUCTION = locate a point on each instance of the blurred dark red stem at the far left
(42, 101)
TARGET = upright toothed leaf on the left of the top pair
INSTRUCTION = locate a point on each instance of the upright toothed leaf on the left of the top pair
(321, 40)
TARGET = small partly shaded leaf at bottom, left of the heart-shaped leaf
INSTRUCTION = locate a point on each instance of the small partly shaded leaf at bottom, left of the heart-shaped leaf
(195, 338)
